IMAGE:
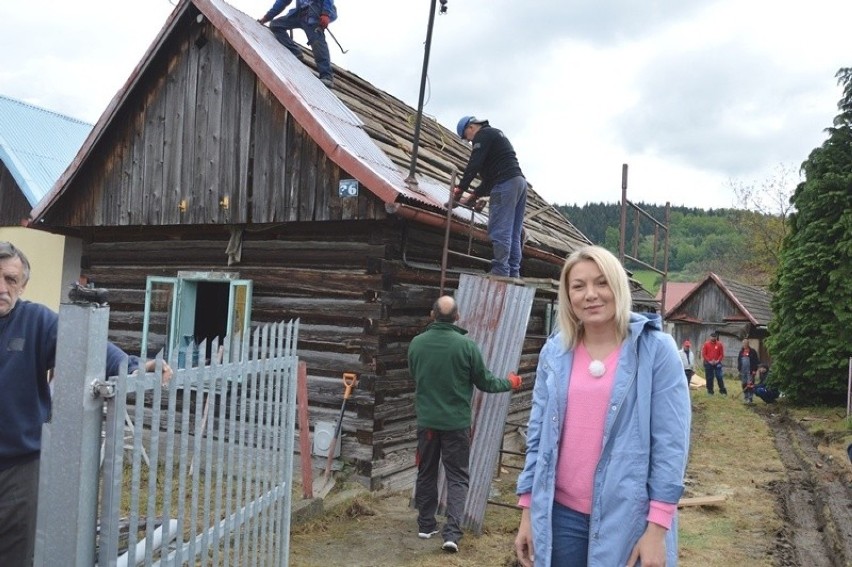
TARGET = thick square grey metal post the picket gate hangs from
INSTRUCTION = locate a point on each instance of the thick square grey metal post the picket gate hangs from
(70, 454)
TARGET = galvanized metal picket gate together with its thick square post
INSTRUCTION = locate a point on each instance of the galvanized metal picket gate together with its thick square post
(194, 471)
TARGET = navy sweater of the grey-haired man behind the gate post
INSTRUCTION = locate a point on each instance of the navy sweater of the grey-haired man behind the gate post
(27, 352)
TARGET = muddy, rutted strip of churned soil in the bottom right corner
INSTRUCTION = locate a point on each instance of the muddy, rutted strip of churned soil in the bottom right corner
(815, 500)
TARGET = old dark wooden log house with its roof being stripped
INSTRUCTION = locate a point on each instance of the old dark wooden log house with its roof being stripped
(225, 169)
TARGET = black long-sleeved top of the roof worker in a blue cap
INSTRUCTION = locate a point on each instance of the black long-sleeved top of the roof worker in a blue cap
(493, 159)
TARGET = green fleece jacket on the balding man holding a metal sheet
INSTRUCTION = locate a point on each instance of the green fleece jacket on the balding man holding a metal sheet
(446, 365)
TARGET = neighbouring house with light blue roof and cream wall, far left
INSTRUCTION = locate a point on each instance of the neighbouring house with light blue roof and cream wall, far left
(36, 145)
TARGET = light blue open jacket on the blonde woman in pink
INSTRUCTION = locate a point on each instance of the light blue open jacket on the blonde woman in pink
(645, 443)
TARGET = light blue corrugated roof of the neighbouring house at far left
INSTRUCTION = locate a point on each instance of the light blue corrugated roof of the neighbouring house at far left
(36, 145)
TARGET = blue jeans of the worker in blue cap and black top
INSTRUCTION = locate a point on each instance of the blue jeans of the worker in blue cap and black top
(506, 207)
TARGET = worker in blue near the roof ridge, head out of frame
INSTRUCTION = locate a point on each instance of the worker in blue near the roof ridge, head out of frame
(313, 17)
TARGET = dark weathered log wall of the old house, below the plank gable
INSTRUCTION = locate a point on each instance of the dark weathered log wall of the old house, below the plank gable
(359, 300)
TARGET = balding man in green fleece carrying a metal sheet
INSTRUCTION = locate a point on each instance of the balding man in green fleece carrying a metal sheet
(446, 365)
